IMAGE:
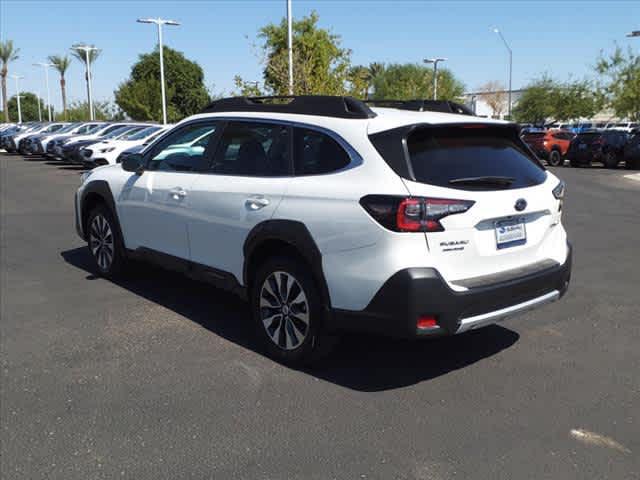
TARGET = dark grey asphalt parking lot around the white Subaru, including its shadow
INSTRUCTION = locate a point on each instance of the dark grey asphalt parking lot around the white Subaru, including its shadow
(159, 377)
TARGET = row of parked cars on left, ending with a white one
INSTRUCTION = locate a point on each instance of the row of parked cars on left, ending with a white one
(90, 144)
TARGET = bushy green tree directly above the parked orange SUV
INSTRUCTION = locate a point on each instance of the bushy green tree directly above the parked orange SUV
(546, 99)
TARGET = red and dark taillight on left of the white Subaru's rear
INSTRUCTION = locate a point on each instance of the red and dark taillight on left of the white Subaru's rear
(412, 214)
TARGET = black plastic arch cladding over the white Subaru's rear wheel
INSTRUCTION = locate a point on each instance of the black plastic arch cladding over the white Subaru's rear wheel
(287, 237)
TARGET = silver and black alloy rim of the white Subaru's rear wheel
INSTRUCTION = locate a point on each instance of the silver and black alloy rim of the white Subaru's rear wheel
(284, 310)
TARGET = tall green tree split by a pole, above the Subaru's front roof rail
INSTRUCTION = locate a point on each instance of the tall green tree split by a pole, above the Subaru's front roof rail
(320, 64)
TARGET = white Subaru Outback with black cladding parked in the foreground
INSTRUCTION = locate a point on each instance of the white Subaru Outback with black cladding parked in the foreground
(329, 215)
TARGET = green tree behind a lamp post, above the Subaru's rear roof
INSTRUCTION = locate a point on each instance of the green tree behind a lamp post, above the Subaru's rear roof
(411, 81)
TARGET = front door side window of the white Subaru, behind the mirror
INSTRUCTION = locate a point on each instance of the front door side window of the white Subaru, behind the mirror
(184, 151)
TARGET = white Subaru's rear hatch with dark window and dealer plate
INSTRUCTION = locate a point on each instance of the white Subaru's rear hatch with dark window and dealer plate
(502, 206)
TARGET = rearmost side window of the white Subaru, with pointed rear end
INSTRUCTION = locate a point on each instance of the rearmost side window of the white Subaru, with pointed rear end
(317, 153)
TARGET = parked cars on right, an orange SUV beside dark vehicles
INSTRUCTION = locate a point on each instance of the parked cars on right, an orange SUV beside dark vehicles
(608, 146)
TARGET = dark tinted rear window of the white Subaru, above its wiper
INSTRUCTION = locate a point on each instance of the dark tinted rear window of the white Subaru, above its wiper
(445, 156)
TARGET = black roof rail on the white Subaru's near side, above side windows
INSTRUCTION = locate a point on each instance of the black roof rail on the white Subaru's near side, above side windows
(322, 105)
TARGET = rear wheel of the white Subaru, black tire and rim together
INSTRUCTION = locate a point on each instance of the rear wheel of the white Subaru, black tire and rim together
(299, 344)
